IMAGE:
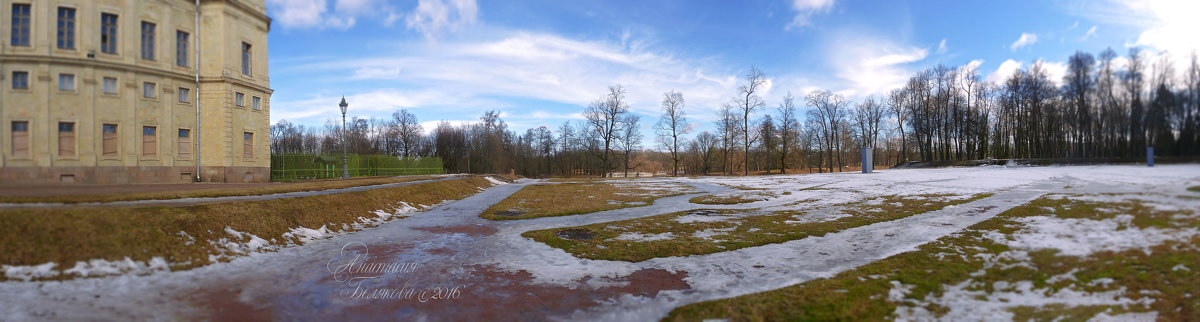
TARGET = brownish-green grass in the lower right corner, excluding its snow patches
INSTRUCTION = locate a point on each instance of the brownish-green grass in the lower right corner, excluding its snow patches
(863, 294)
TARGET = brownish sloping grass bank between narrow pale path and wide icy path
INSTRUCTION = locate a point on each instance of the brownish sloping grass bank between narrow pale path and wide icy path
(31, 237)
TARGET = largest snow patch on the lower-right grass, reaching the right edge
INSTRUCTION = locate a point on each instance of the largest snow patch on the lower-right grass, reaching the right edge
(1082, 237)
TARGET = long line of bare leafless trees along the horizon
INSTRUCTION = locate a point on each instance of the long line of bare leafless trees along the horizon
(1107, 108)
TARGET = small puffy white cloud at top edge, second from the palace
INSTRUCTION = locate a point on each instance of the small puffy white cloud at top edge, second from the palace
(434, 17)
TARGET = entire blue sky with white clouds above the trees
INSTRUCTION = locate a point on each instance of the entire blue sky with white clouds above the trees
(542, 62)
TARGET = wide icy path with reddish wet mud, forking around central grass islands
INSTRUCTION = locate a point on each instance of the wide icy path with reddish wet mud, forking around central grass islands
(448, 264)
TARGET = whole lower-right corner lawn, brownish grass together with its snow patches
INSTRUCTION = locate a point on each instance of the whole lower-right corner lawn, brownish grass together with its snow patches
(1127, 258)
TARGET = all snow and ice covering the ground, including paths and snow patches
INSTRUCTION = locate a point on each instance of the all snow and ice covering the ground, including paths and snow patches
(497, 269)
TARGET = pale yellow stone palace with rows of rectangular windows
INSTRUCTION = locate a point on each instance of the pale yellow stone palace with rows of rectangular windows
(116, 92)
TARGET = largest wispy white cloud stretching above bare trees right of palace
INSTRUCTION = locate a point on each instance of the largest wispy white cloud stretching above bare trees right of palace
(479, 76)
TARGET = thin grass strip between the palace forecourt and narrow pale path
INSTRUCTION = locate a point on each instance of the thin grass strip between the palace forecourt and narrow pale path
(279, 188)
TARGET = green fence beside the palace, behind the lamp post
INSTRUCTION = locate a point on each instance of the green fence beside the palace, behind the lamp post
(289, 168)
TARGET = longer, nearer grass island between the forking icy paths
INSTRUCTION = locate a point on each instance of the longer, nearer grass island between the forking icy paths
(699, 232)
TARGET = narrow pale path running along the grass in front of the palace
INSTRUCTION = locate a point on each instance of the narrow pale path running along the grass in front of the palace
(182, 202)
